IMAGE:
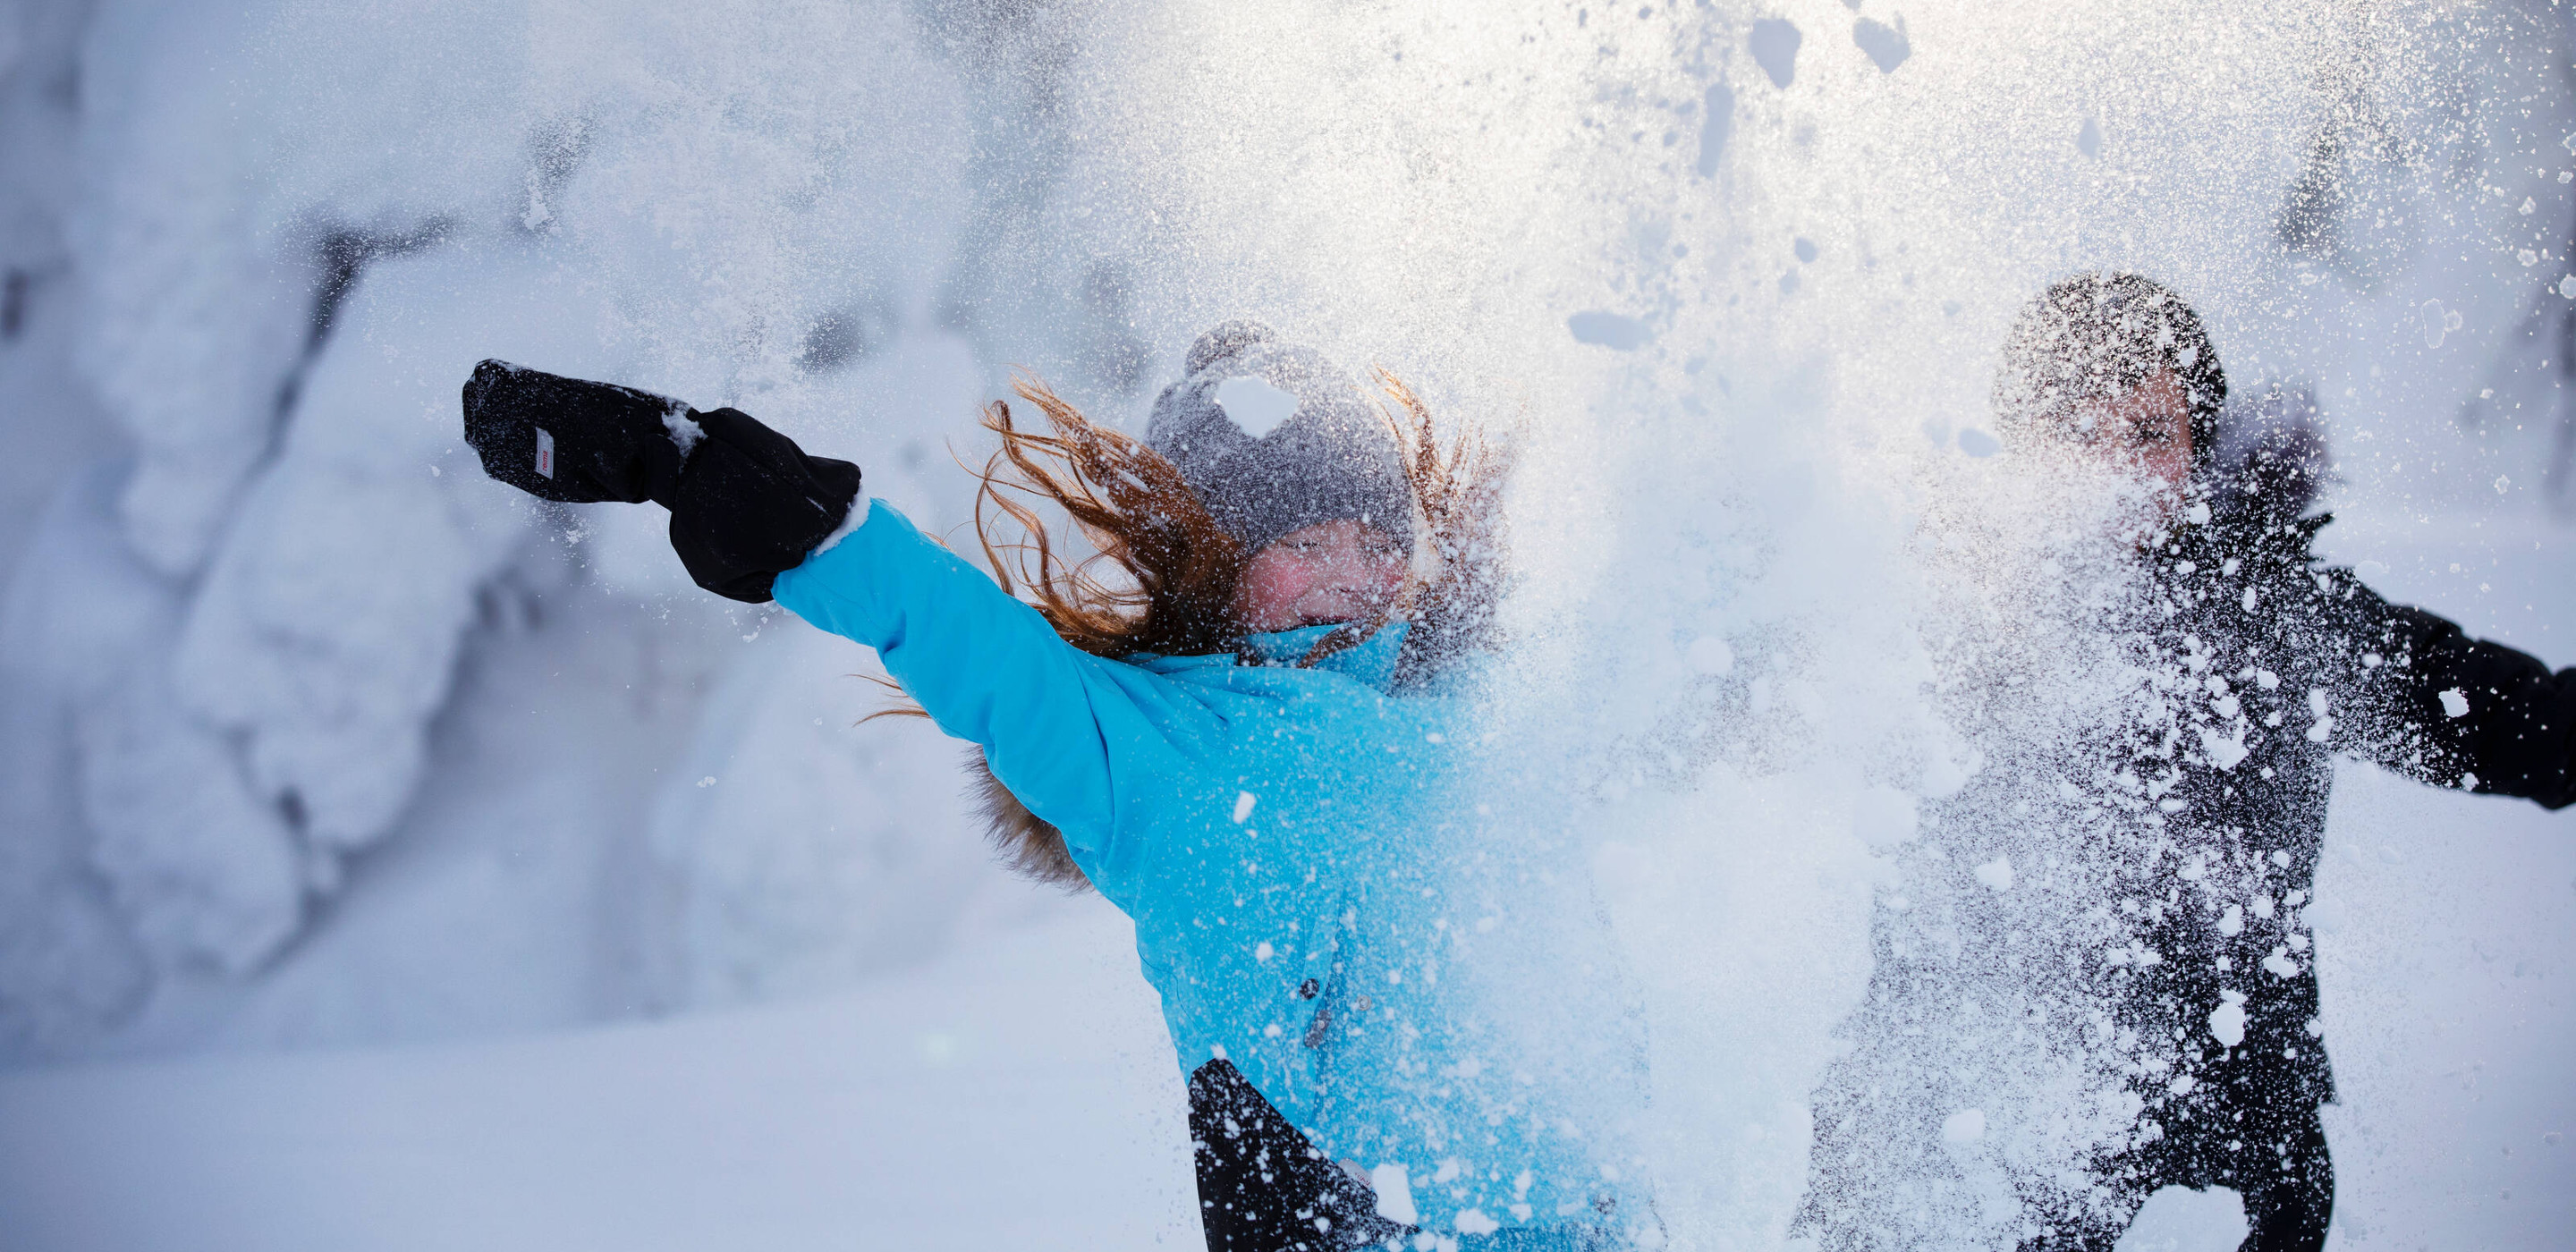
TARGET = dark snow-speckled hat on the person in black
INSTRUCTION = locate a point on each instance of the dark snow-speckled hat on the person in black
(2098, 336)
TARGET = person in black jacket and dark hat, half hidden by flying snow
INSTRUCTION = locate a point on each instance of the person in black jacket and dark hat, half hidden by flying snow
(2211, 805)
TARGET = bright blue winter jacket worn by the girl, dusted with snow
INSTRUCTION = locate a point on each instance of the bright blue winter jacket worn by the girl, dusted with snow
(1287, 844)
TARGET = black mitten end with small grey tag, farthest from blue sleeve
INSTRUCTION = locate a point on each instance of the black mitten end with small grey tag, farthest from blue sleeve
(576, 442)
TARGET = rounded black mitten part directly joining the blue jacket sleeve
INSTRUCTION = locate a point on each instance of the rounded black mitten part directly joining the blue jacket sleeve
(751, 506)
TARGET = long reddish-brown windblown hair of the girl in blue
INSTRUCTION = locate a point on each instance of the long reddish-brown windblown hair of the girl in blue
(1160, 576)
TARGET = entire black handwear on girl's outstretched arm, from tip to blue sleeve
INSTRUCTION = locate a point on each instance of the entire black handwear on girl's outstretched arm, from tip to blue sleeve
(746, 504)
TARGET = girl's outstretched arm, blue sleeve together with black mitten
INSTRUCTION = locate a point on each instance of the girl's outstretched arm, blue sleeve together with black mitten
(751, 517)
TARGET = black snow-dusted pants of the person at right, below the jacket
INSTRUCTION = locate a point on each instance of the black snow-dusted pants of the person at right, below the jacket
(2276, 1161)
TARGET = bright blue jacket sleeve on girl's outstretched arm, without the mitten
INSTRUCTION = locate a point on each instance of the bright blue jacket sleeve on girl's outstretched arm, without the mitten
(1068, 733)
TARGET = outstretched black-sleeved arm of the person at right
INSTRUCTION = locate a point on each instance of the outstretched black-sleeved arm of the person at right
(2436, 705)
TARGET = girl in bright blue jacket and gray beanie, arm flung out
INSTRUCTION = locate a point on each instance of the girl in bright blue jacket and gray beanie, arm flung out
(1248, 741)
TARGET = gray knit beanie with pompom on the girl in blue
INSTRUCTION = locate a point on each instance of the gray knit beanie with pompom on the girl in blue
(1276, 439)
